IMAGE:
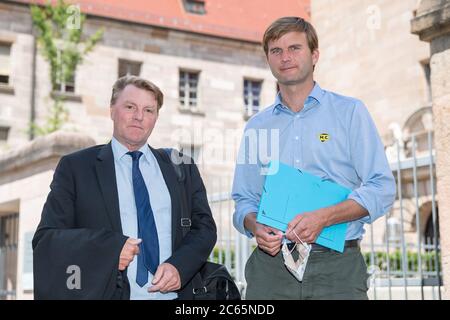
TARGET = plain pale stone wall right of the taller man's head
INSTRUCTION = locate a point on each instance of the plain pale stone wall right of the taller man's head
(368, 51)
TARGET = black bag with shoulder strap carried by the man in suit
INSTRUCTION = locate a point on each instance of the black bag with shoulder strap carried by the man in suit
(213, 281)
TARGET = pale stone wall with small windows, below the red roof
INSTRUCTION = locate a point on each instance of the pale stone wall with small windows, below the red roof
(223, 64)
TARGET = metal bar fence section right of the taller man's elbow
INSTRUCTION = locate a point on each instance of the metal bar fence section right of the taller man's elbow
(405, 263)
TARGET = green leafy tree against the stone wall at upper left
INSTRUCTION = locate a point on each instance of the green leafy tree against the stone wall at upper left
(59, 36)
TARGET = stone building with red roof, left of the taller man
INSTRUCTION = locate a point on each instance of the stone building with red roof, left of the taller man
(213, 76)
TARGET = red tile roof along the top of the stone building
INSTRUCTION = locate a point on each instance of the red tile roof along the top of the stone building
(237, 19)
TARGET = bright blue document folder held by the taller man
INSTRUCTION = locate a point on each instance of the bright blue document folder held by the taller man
(290, 191)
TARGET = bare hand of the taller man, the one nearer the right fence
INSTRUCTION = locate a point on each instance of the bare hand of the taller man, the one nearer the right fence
(307, 226)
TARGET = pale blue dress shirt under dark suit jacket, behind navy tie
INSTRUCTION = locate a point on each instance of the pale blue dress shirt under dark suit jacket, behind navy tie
(161, 204)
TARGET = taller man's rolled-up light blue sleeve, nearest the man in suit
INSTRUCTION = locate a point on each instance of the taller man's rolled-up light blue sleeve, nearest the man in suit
(247, 184)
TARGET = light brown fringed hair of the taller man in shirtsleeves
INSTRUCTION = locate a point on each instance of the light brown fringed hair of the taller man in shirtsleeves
(285, 25)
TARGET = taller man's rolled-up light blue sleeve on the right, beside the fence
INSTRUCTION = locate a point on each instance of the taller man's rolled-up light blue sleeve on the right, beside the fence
(378, 189)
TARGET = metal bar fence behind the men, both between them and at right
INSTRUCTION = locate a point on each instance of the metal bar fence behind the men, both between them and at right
(401, 249)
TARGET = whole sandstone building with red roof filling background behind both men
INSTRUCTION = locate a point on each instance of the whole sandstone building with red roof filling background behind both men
(206, 57)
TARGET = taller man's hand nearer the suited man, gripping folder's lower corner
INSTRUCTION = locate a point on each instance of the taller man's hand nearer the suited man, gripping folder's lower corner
(268, 238)
